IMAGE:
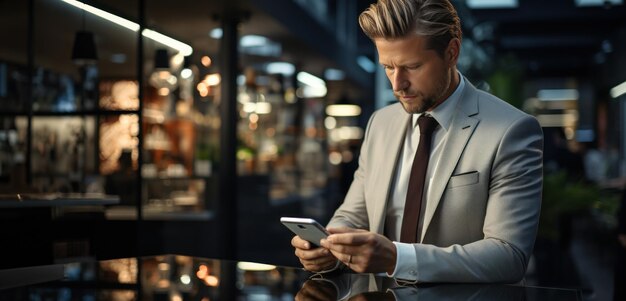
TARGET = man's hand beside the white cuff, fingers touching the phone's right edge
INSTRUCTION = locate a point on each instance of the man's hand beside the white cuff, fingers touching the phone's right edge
(362, 251)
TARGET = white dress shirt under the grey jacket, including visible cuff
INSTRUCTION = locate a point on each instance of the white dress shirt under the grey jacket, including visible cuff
(406, 264)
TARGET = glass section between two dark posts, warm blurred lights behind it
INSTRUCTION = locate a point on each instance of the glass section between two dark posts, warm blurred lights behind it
(181, 121)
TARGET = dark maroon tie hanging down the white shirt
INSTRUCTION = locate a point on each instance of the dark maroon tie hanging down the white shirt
(413, 204)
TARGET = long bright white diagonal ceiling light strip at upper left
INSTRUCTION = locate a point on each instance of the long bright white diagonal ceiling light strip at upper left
(183, 48)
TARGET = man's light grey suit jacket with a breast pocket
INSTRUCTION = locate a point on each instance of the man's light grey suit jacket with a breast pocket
(483, 205)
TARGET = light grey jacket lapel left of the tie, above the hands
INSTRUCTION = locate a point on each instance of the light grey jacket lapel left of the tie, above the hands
(395, 131)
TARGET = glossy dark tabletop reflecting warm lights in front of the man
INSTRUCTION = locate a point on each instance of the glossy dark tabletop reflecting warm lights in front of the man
(174, 277)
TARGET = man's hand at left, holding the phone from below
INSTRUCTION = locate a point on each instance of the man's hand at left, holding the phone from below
(313, 259)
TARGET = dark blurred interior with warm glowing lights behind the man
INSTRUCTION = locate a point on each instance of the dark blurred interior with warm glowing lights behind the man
(209, 120)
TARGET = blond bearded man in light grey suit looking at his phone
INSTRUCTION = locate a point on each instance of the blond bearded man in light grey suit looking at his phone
(481, 197)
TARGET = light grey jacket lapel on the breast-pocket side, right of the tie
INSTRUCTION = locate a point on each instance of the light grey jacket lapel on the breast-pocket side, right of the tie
(461, 128)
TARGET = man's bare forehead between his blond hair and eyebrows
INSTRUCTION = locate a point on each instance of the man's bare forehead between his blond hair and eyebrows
(402, 50)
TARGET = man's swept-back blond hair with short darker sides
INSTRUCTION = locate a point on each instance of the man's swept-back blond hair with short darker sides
(391, 19)
